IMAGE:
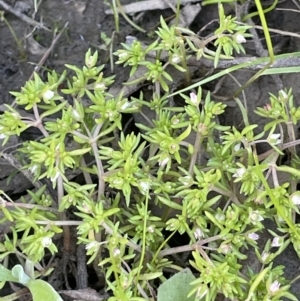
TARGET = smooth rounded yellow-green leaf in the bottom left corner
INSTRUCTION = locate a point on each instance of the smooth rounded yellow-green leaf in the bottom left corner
(41, 290)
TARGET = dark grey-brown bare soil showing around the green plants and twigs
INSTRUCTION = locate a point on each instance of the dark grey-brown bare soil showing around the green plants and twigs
(86, 20)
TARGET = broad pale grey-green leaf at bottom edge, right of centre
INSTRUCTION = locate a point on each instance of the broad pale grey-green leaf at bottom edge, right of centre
(177, 287)
